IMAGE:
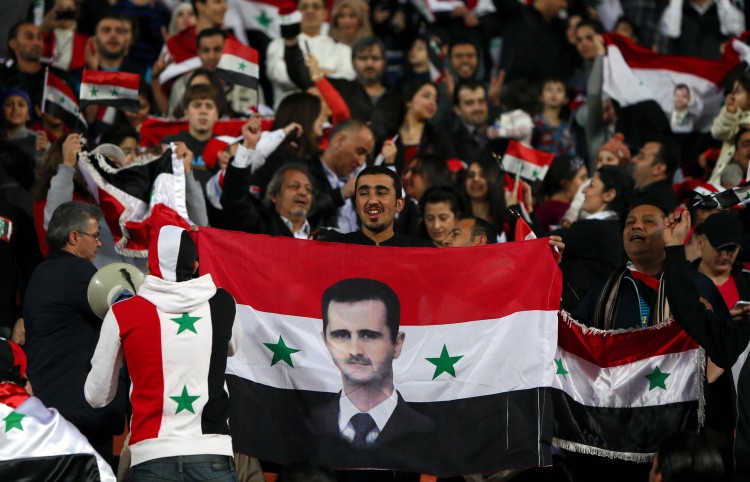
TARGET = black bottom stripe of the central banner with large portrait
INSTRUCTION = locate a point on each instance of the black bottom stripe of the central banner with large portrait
(459, 437)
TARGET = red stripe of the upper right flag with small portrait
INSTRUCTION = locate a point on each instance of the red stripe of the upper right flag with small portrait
(638, 57)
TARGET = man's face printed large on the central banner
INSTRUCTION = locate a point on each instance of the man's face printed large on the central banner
(360, 342)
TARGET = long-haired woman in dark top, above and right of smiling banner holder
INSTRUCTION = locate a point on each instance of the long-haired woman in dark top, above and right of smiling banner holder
(417, 137)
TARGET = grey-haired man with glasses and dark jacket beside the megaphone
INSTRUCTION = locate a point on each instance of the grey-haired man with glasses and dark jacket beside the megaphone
(61, 328)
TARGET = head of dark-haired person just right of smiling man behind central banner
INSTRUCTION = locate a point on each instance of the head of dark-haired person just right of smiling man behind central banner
(441, 209)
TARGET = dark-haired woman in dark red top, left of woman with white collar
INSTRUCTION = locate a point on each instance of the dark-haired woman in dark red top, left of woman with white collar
(560, 185)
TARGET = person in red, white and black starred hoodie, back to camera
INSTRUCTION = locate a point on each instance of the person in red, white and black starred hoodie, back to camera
(175, 337)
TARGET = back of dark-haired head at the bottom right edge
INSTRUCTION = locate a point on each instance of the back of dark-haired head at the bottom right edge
(689, 457)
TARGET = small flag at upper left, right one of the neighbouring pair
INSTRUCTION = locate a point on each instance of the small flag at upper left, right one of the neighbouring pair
(115, 89)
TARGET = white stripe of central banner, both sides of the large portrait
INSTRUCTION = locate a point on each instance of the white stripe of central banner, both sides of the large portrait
(499, 355)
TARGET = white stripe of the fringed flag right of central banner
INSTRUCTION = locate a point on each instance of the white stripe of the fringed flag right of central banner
(626, 386)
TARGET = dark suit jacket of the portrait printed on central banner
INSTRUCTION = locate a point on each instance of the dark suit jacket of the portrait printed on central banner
(406, 442)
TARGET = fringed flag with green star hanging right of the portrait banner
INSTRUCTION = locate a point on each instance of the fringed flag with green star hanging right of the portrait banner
(620, 393)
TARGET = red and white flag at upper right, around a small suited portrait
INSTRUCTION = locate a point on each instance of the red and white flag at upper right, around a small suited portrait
(635, 74)
